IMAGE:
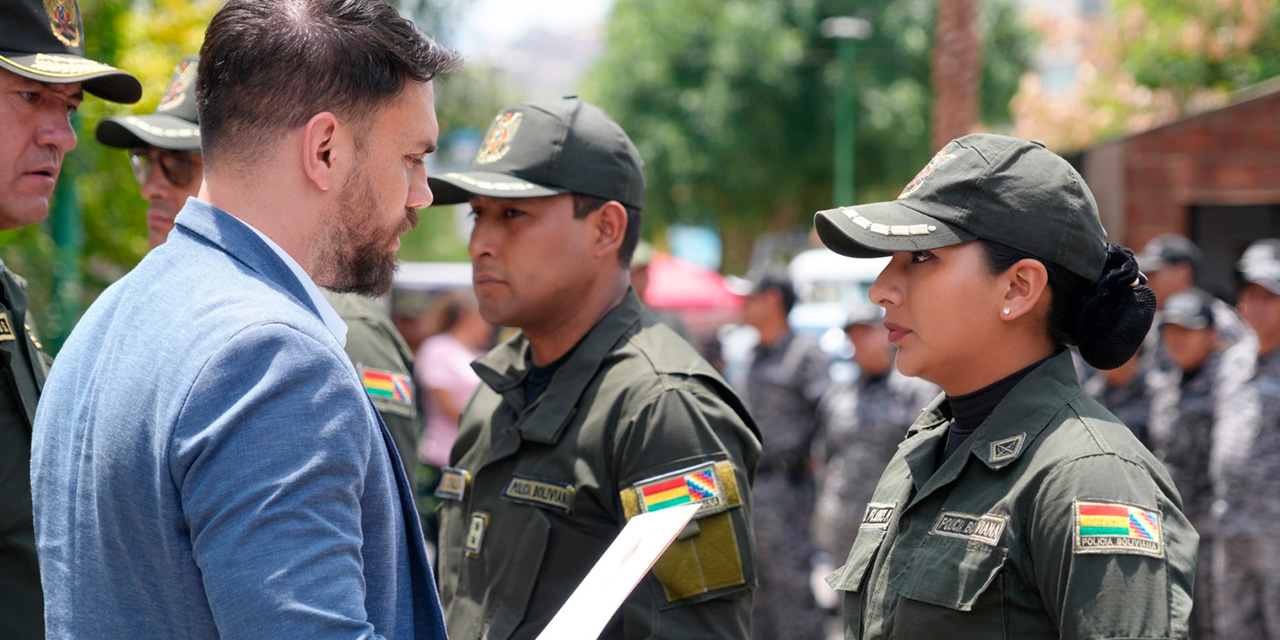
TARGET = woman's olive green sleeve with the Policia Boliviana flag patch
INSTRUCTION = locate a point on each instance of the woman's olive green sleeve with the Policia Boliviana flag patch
(1113, 554)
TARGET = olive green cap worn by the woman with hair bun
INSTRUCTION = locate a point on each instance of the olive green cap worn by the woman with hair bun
(981, 186)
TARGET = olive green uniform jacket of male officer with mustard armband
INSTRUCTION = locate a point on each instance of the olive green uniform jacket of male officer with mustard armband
(537, 493)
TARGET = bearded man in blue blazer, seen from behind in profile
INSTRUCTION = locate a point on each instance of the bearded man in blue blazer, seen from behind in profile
(205, 460)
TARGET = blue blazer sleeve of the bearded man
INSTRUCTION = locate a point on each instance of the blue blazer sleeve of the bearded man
(271, 456)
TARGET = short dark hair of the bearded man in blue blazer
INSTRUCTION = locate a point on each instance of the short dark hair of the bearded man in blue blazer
(269, 67)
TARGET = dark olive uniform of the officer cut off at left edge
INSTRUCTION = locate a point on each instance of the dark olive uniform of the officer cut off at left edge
(22, 611)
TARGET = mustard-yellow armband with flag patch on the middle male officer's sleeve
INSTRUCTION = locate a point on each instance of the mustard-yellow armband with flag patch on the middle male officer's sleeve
(706, 556)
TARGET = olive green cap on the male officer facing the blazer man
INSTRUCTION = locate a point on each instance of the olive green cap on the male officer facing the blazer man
(546, 149)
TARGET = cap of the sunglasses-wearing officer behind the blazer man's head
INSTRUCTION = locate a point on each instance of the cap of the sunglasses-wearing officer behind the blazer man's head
(175, 126)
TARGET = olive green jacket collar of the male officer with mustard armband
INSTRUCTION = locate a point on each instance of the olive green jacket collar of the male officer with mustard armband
(506, 367)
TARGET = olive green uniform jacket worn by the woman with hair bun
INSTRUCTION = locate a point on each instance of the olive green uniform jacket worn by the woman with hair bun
(1052, 522)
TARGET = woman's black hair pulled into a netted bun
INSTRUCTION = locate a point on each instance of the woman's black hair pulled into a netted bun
(1107, 319)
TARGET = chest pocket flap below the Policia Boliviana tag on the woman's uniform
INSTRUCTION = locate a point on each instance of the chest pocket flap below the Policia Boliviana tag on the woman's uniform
(950, 574)
